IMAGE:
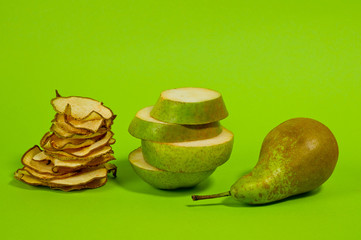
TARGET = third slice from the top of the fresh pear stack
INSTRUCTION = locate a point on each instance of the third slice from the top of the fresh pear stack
(192, 156)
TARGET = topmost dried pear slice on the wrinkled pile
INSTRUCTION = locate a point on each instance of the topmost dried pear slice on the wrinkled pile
(81, 107)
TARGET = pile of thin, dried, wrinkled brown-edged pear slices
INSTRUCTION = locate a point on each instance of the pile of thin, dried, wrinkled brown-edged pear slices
(76, 152)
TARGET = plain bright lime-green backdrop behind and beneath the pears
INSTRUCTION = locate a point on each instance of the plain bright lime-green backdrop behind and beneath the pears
(271, 60)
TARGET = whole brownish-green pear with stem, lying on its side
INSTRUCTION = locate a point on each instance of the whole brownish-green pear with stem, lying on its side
(297, 156)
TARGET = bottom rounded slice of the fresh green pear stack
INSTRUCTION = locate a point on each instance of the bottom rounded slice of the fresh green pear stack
(164, 179)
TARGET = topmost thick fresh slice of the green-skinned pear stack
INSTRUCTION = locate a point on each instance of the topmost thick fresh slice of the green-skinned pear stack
(191, 106)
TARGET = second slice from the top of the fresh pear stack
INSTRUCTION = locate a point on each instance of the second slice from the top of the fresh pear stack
(145, 127)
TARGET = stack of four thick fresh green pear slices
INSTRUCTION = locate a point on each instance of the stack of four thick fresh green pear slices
(182, 140)
